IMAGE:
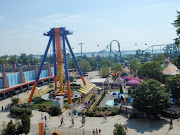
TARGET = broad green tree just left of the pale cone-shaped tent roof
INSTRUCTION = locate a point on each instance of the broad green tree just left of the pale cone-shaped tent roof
(151, 70)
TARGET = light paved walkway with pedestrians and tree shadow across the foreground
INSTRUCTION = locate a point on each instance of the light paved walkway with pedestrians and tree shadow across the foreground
(135, 126)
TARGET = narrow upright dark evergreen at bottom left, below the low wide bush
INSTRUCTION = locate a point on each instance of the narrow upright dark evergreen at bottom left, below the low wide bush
(25, 123)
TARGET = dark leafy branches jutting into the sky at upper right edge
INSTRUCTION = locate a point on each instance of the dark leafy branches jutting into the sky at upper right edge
(177, 26)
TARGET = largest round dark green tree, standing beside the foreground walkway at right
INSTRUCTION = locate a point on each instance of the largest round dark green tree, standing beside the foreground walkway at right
(150, 97)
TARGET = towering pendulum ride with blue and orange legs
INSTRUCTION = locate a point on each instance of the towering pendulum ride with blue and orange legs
(58, 37)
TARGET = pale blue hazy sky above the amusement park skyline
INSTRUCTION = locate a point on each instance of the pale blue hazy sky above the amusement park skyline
(93, 22)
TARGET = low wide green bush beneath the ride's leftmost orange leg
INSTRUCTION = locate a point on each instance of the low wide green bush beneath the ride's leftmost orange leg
(19, 111)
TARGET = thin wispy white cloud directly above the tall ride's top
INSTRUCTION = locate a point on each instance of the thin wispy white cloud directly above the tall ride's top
(57, 18)
